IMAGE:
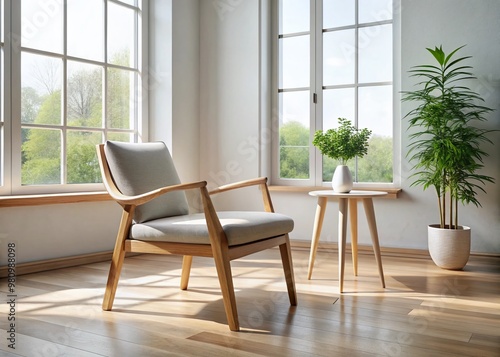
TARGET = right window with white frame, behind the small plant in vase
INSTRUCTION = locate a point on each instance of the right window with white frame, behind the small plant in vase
(333, 59)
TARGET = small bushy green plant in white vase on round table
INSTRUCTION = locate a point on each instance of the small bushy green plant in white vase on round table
(342, 144)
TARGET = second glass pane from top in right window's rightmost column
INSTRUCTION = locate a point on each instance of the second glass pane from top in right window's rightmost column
(375, 54)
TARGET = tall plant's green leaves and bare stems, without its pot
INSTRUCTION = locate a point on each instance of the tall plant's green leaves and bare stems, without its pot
(447, 148)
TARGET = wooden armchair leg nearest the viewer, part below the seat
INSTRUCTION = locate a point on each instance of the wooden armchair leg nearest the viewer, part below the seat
(223, 267)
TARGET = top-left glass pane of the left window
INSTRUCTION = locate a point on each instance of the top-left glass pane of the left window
(42, 25)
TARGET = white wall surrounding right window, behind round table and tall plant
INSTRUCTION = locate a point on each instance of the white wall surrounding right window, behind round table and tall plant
(231, 113)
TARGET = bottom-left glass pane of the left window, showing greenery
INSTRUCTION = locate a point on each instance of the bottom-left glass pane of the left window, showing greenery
(41, 156)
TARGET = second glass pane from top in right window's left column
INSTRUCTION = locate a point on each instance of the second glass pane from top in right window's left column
(294, 62)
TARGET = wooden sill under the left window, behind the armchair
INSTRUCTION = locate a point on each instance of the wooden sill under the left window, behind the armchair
(51, 199)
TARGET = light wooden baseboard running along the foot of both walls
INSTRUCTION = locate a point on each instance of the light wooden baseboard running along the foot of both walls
(67, 262)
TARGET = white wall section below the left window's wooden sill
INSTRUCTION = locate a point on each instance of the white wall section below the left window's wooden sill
(54, 231)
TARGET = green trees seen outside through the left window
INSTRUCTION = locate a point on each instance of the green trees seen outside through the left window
(42, 147)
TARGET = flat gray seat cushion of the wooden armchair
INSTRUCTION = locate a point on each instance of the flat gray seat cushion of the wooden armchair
(240, 227)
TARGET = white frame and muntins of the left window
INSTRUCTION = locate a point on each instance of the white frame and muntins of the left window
(12, 140)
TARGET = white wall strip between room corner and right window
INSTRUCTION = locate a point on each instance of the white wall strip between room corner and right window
(231, 101)
